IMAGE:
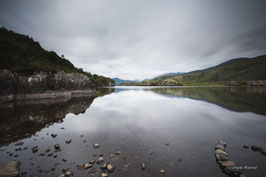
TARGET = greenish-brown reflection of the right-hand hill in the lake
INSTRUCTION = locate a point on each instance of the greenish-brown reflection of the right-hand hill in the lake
(240, 99)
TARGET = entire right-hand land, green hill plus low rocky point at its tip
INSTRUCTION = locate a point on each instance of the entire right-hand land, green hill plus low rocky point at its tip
(239, 71)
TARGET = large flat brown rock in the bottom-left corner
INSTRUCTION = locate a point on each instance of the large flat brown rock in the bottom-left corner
(10, 169)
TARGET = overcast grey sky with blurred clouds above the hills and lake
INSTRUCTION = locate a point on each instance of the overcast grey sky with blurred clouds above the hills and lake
(137, 39)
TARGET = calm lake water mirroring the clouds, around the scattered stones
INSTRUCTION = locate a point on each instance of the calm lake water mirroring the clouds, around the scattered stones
(171, 129)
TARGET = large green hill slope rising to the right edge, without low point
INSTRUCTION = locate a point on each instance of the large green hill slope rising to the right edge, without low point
(239, 69)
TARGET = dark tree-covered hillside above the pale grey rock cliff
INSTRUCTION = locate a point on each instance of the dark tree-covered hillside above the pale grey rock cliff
(21, 54)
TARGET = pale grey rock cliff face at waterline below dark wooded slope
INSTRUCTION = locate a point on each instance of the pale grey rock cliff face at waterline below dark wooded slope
(41, 85)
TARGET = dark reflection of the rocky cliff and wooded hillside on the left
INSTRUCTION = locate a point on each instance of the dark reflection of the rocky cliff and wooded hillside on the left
(26, 118)
